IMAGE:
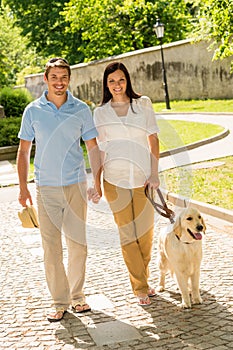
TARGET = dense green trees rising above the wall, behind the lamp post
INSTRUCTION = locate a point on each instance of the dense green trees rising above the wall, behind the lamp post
(81, 30)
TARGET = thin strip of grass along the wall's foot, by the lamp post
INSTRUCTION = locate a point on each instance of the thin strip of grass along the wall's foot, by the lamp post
(225, 106)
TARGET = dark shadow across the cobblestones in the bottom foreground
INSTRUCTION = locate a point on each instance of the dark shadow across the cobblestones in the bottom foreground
(170, 328)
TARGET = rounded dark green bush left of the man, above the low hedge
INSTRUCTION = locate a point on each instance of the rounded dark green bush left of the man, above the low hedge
(14, 101)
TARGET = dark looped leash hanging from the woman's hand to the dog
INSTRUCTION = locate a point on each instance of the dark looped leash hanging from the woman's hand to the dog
(161, 209)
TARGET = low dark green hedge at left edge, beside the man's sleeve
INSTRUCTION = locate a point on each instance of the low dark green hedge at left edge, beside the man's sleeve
(9, 128)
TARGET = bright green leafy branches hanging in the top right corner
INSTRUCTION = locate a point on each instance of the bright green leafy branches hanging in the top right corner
(216, 25)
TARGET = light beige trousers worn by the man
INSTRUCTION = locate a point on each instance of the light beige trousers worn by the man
(63, 209)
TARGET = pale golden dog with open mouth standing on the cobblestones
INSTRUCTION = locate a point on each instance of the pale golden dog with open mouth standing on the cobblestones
(180, 252)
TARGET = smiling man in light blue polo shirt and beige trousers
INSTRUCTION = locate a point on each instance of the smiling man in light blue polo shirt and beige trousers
(57, 121)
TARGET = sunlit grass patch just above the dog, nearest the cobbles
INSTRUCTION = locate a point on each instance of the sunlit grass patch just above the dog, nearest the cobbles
(211, 182)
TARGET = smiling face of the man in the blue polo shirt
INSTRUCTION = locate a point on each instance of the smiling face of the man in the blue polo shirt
(57, 81)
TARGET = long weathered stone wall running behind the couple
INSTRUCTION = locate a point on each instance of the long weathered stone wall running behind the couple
(191, 74)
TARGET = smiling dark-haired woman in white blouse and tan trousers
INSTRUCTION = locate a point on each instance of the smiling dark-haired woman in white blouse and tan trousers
(130, 150)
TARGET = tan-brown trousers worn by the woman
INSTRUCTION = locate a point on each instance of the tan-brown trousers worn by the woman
(134, 216)
